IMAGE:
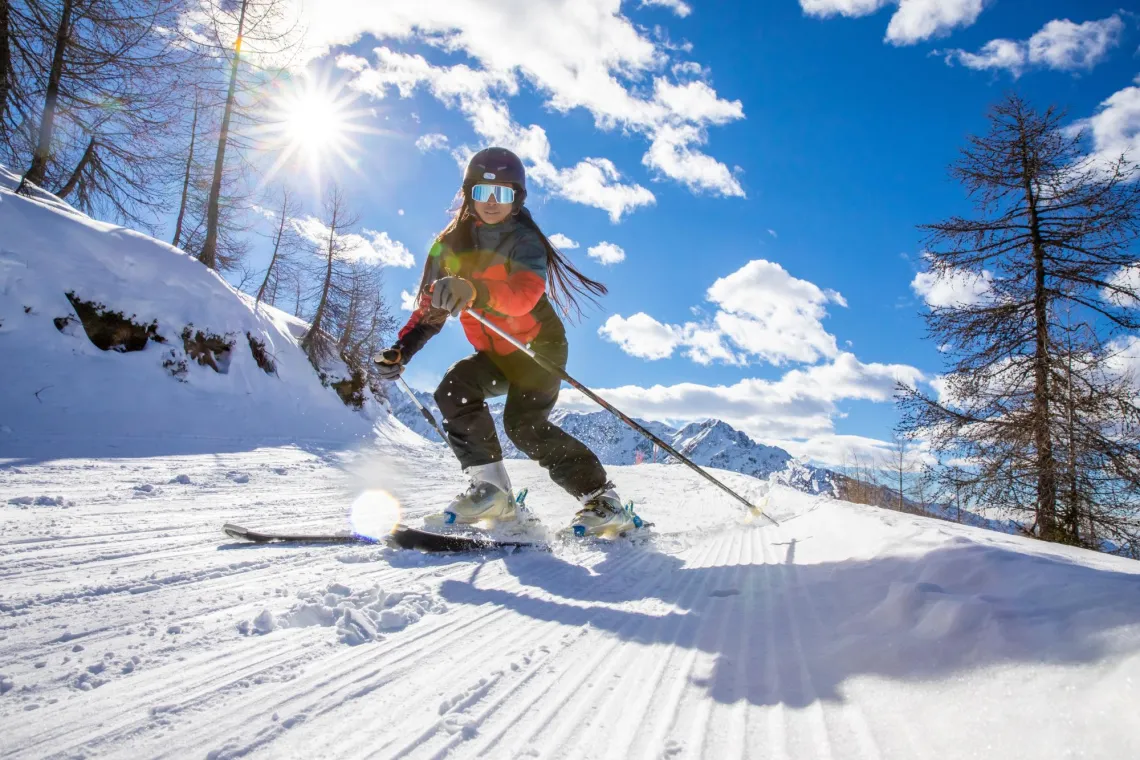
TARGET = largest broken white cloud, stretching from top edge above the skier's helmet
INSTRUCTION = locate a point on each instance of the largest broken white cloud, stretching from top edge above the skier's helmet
(582, 55)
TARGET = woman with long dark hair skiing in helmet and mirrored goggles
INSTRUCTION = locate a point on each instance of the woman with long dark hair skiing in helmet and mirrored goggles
(494, 260)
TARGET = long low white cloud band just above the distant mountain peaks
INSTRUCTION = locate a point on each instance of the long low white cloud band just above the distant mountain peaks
(799, 407)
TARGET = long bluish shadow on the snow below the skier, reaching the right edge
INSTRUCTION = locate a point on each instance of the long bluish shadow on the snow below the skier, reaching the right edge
(793, 634)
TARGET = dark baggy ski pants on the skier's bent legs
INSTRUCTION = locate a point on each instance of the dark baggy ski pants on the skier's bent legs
(531, 395)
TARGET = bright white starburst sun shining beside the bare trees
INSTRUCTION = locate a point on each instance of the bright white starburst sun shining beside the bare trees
(313, 125)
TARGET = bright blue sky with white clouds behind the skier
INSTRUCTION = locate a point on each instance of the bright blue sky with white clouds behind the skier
(789, 149)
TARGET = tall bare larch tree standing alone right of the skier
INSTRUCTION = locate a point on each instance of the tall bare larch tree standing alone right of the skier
(1036, 397)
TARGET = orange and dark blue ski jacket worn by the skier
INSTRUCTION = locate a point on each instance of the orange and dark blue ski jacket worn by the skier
(507, 265)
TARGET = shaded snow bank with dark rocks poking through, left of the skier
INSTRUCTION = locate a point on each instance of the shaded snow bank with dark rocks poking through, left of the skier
(63, 395)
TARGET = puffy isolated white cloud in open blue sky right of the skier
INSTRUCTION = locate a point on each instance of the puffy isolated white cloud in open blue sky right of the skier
(762, 313)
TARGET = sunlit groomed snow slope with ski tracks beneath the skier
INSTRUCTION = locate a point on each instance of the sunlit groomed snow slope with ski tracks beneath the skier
(846, 633)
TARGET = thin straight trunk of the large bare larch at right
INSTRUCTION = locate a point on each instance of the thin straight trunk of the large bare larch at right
(1046, 464)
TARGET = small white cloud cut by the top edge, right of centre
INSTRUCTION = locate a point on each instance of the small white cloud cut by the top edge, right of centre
(915, 20)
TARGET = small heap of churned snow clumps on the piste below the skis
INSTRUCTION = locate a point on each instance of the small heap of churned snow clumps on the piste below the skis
(359, 617)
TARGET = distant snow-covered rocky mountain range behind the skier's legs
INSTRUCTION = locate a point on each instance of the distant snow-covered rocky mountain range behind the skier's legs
(711, 444)
